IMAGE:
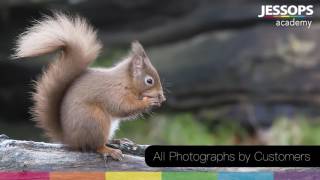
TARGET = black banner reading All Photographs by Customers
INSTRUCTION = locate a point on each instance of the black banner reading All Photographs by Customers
(233, 156)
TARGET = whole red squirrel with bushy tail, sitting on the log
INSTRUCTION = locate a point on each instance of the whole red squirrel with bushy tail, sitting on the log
(81, 106)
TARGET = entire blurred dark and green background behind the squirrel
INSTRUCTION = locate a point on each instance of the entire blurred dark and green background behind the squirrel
(230, 78)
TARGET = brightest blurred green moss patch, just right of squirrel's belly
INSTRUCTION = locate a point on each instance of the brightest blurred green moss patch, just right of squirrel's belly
(166, 129)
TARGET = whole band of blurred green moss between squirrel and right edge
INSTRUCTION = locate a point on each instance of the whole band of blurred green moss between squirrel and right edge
(186, 129)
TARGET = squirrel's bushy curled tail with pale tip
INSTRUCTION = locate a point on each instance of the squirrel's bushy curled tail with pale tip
(79, 47)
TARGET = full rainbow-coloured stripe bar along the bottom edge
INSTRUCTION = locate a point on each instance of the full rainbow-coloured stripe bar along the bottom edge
(285, 175)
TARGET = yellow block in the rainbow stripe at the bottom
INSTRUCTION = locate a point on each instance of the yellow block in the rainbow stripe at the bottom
(133, 175)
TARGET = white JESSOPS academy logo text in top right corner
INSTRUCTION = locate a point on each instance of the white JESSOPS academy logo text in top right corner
(288, 15)
